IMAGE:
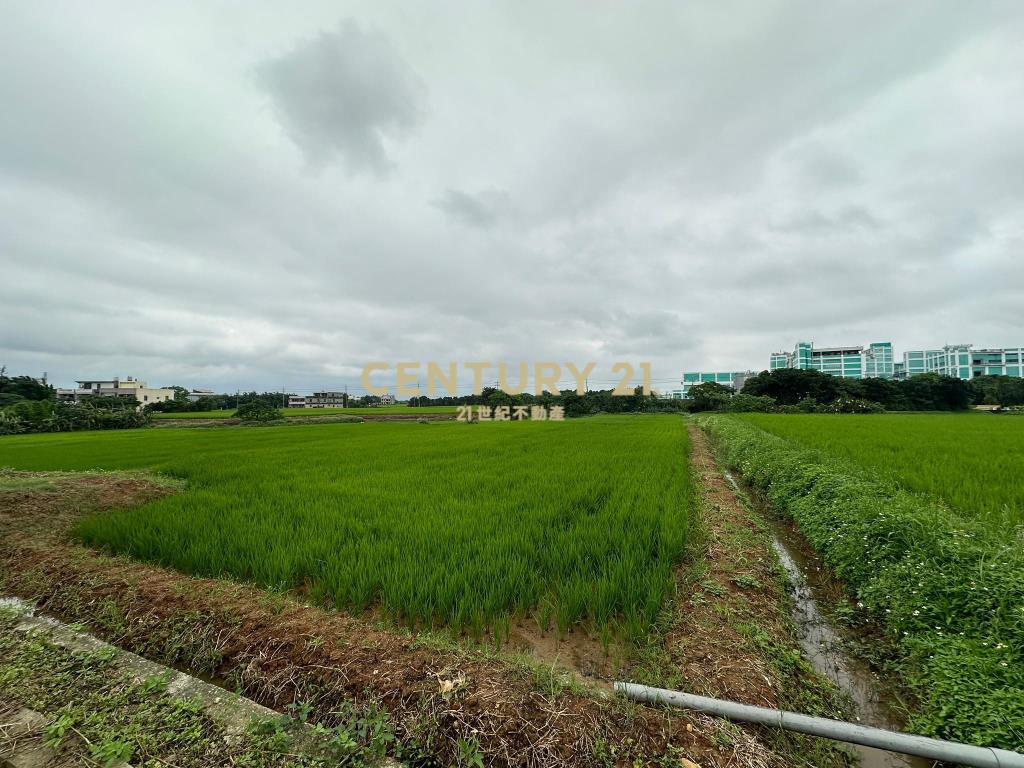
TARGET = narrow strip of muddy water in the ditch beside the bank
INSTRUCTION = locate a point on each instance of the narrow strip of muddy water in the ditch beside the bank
(823, 646)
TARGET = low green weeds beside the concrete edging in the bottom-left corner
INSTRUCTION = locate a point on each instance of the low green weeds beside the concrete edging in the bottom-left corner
(113, 718)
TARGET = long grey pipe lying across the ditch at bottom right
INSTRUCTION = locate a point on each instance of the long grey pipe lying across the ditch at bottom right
(933, 749)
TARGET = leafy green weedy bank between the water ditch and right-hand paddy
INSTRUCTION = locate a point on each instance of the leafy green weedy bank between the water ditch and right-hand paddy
(947, 586)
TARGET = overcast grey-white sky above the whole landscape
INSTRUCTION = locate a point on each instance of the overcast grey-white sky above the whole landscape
(266, 196)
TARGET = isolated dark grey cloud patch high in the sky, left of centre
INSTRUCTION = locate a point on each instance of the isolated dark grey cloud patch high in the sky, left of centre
(346, 93)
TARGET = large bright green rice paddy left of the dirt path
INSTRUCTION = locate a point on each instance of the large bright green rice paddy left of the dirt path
(465, 526)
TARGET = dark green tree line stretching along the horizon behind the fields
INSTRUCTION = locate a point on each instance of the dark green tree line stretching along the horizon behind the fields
(28, 405)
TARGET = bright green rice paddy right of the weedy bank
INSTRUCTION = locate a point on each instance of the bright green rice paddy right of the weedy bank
(973, 462)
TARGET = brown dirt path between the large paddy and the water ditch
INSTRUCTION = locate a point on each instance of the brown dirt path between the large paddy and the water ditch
(733, 636)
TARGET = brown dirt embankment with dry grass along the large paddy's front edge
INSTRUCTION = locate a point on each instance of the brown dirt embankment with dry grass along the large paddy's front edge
(280, 652)
